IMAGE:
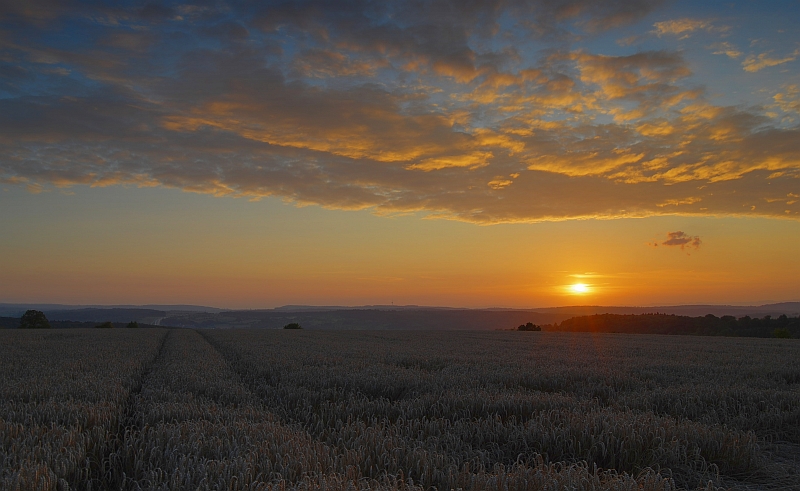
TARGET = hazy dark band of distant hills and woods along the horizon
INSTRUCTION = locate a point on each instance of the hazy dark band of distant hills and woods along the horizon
(370, 316)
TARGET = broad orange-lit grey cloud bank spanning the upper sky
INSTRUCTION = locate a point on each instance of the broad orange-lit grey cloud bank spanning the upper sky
(484, 112)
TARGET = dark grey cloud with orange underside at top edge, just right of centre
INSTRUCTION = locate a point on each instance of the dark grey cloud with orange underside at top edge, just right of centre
(439, 34)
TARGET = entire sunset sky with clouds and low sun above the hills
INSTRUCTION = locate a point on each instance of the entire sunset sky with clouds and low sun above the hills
(489, 153)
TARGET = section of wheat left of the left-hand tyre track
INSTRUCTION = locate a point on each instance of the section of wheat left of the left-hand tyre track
(63, 400)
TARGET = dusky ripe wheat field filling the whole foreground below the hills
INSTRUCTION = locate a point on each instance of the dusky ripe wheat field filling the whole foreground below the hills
(266, 409)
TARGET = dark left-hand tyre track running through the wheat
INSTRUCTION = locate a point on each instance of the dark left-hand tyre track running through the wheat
(106, 473)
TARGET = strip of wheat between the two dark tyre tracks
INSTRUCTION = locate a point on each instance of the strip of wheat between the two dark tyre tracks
(200, 427)
